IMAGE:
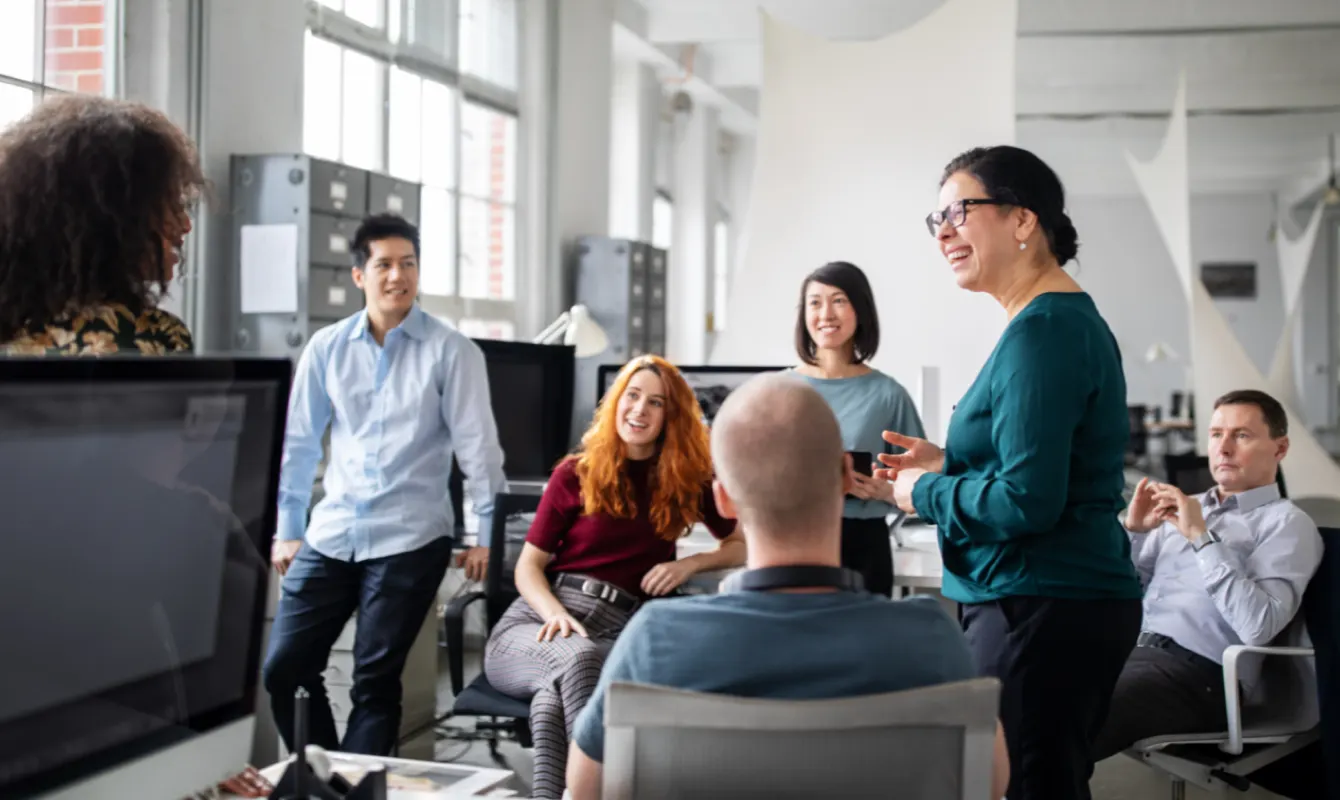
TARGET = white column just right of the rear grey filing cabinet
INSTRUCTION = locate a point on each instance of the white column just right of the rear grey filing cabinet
(691, 282)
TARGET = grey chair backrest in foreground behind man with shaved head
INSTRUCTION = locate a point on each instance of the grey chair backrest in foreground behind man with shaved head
(935, 743)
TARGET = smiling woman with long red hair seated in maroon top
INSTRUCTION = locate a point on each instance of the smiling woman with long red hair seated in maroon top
(604, 541)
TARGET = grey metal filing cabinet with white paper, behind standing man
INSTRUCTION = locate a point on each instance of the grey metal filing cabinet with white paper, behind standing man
(326, 202)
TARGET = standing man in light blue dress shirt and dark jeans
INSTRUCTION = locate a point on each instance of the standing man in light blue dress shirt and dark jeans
(400, 393)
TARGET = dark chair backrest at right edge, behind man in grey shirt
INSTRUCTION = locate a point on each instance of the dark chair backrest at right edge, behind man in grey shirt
(1322, 610)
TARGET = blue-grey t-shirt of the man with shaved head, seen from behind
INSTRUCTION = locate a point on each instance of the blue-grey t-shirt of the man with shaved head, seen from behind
(799, 647)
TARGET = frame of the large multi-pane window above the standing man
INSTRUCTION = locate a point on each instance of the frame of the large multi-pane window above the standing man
(428, 64)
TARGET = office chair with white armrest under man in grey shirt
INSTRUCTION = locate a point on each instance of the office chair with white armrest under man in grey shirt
(1262, 735)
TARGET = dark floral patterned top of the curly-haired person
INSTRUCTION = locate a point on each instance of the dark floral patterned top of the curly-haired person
(107, 330)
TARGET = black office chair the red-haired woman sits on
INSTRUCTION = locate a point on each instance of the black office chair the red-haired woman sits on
(498, 715)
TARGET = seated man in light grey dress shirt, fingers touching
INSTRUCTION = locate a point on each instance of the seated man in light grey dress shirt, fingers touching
(1227, 568)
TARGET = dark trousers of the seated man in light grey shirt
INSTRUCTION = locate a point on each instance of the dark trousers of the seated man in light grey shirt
(1162, 692)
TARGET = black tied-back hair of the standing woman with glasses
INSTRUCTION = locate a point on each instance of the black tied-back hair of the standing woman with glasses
(1016, 178)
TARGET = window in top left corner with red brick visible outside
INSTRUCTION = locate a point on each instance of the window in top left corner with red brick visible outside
(54, 46)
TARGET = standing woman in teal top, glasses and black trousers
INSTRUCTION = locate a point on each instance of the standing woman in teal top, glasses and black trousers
(1028, 488)
